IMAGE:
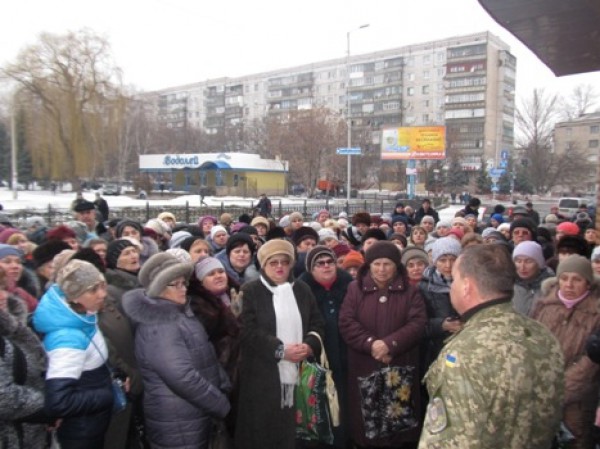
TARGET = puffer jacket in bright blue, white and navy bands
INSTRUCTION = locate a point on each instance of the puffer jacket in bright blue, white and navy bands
(78, 383)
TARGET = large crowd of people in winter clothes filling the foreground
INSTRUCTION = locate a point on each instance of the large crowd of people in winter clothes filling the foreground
(203, 327)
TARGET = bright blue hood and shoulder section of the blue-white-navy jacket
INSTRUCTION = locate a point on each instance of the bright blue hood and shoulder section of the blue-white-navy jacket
(54, 313)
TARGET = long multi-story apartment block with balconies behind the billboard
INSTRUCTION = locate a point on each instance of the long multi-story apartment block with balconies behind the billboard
(466, 83)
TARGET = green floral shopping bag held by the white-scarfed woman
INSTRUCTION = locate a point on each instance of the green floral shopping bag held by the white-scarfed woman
(317, 406)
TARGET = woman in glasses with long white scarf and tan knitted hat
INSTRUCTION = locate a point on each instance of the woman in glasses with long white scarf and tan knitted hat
(277, 316)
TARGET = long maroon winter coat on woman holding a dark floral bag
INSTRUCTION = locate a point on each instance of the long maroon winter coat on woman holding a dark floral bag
(400, 322)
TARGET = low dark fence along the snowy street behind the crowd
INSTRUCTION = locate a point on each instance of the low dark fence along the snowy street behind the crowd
(189, 214)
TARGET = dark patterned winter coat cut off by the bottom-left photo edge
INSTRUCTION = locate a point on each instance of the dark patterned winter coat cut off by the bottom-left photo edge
(22, 364)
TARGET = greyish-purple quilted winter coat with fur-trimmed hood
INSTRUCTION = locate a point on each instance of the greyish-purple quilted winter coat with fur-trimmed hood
(184, 385)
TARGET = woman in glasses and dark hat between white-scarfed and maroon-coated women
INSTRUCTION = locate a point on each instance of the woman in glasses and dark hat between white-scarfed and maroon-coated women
(329, 285)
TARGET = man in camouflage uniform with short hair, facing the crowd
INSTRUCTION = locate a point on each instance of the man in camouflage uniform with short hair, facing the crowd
(498, 383)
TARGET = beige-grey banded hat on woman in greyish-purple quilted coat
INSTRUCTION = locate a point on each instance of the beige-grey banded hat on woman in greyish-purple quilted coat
(160, 270)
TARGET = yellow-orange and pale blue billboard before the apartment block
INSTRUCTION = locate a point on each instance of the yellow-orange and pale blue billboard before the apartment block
(415, 142)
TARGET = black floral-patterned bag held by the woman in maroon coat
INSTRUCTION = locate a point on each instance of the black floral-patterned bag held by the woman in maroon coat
(386, 403)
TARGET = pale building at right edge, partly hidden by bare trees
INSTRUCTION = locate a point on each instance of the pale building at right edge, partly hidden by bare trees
(583, 134)
